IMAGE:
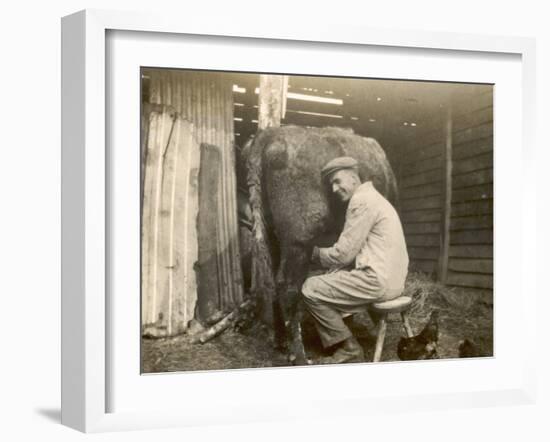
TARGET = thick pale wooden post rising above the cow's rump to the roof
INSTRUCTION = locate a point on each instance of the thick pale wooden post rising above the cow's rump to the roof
(272, 100)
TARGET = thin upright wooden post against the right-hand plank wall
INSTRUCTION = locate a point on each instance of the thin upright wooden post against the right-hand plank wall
(447, 196)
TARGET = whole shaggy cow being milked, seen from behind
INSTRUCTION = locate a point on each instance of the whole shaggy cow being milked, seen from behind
(291, 209)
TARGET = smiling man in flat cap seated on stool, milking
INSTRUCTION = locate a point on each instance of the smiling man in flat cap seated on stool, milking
(367, 264)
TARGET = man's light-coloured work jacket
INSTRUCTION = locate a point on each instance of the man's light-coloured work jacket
(373, 238)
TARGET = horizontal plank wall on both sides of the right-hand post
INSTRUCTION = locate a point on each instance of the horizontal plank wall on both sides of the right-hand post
(421, 180)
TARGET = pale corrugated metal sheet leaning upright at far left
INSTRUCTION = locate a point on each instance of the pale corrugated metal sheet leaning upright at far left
(169, 246)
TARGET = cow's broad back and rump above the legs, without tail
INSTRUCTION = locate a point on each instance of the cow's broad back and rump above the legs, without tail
(292, 160)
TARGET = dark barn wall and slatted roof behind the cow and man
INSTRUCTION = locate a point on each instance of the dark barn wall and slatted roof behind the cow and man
(417, 123)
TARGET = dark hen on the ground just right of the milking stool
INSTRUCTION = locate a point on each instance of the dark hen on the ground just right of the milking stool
(422, 346)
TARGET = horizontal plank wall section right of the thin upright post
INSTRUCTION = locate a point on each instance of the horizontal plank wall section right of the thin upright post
(471, 239)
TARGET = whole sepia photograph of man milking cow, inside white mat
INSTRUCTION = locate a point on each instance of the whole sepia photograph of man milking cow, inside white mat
(291, 220)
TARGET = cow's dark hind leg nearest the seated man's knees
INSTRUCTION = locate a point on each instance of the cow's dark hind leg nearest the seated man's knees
(292, 273)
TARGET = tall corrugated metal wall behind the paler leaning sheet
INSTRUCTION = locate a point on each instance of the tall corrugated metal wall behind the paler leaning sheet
(205, 99)
